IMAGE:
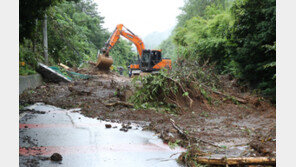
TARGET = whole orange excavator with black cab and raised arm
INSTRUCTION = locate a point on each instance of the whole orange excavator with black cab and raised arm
(148, 60)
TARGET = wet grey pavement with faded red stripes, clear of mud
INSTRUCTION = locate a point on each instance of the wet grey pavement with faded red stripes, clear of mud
(83, 141)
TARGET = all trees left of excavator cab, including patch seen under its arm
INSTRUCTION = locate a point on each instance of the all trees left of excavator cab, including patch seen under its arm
(75, 34)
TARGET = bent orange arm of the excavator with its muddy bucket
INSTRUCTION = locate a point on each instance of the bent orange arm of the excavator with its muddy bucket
(104, 61)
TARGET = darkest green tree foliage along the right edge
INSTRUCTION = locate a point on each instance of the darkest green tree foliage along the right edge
(254, 36)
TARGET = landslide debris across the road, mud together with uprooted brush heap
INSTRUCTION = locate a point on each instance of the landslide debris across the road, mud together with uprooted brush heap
(206, 108)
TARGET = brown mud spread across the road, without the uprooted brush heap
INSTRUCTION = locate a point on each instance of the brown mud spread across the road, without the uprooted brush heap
(226, 129)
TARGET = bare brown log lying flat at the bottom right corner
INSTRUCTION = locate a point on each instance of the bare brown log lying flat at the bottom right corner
(237, 161)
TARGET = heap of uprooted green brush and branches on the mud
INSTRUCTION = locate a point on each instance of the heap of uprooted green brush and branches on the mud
(169, 89)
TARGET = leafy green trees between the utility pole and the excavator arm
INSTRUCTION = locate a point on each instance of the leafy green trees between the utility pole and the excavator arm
(75, 33)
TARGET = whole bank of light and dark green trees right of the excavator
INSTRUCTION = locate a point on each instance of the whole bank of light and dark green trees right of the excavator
(237, 37)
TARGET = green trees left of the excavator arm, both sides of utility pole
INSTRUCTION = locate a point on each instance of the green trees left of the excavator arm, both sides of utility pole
(75, 35)
